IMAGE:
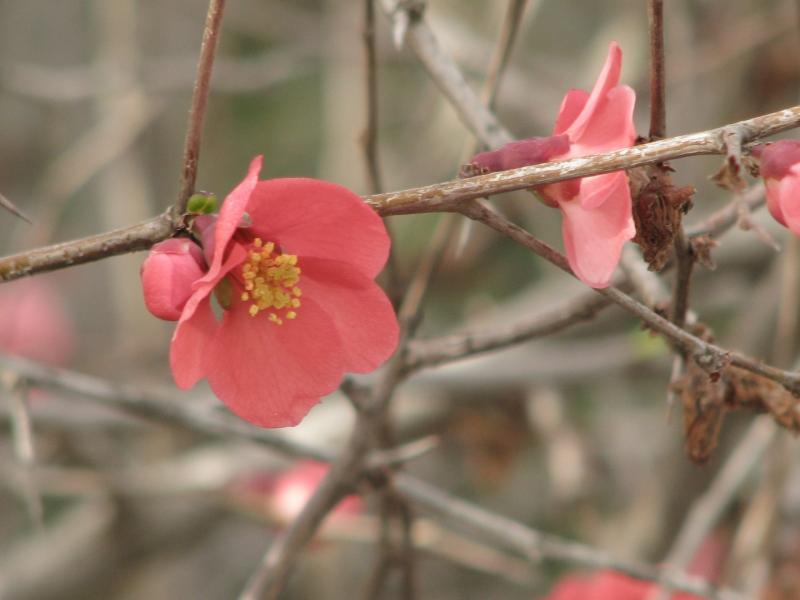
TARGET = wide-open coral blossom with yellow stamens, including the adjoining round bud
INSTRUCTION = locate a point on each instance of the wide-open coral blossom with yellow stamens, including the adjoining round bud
(291, 262)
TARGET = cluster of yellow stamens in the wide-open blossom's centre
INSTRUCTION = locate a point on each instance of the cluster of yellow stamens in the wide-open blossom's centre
(270, 282)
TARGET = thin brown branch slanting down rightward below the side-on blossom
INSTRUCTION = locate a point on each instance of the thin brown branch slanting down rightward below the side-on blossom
(710, 357)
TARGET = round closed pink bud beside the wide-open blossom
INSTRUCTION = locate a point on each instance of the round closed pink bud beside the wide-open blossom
(168, 273)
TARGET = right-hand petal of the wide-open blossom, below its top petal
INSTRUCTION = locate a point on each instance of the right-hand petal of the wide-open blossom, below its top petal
(359, 309)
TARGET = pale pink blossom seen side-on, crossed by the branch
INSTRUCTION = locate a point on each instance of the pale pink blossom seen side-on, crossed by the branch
(597, 209)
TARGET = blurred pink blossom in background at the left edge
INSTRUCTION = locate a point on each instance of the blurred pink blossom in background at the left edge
(34, 322)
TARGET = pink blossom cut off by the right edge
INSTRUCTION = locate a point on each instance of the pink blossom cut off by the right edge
(780, 168)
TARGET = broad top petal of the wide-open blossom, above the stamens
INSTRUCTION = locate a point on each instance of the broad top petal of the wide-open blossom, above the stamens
(319, 219)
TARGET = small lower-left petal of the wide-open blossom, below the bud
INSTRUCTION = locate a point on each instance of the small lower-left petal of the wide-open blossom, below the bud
(190, 341)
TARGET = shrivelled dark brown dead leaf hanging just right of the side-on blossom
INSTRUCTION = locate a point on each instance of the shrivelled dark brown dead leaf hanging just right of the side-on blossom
(658, 209)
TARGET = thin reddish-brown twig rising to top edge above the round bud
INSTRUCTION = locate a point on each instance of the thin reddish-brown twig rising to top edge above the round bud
(194, 132)
